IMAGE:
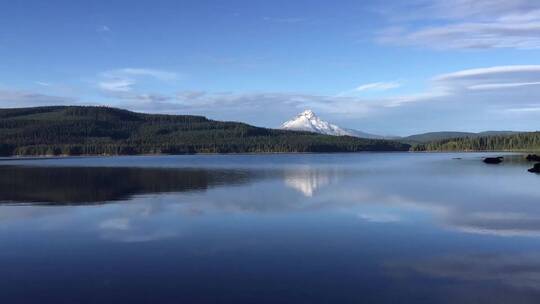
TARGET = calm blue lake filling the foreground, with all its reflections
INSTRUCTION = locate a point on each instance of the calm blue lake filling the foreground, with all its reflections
(304, 228)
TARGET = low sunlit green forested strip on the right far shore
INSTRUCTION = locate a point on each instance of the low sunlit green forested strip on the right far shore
(529, 141)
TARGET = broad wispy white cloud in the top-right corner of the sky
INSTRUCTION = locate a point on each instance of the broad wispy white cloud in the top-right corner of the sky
(469, 24)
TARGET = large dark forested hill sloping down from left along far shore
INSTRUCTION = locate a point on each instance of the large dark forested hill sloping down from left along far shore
(76, 130)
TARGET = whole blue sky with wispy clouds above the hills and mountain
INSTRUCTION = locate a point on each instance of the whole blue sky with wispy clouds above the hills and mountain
(389, 67)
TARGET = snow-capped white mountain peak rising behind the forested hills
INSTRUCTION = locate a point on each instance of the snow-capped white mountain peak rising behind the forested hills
(308, 121)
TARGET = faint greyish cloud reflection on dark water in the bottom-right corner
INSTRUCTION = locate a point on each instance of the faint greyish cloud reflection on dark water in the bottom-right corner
(473, 278)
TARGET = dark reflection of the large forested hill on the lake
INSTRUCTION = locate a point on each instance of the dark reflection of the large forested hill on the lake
(83, 185)
